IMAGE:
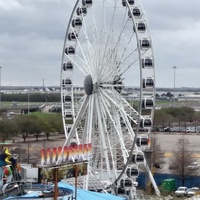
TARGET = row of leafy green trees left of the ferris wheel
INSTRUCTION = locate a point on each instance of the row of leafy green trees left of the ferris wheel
(32, 125)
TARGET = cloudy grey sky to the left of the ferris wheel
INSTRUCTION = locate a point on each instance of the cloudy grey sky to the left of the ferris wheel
(31, 40)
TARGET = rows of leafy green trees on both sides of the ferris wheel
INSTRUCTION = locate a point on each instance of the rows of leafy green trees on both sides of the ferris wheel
(25, 125)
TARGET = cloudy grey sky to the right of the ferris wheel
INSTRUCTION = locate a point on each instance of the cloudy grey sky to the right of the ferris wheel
(175, 28)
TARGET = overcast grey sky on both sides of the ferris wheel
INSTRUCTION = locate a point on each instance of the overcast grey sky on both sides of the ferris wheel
(32, 35)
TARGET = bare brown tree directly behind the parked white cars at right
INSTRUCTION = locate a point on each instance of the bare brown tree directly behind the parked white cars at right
(182, 159)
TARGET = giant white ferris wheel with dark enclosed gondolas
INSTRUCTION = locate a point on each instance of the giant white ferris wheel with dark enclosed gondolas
(108, 52)
